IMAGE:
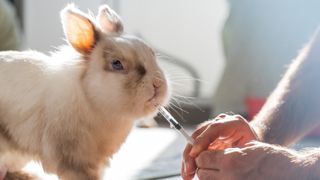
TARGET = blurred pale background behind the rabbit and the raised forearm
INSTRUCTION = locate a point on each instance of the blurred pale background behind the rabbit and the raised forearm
(221, 55)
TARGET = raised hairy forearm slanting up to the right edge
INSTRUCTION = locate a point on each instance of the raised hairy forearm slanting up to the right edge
(293, 109)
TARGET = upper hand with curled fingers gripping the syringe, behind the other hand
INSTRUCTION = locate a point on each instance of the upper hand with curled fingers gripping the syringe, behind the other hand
(222, 132)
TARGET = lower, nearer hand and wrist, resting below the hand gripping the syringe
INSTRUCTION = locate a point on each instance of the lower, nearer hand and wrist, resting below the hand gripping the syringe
(255, 161)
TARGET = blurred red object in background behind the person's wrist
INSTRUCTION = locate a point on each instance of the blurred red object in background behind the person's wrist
(254, 104)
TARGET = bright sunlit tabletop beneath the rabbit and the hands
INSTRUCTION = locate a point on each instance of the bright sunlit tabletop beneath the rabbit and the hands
(153, 153)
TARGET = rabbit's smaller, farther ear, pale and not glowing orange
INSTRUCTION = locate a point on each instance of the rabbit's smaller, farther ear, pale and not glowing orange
(109, 20)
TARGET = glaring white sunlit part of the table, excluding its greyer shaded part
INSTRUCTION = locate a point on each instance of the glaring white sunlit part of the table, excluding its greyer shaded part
(137, 153)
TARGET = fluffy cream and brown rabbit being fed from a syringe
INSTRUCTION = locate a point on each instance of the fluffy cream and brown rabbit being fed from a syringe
(71, 110)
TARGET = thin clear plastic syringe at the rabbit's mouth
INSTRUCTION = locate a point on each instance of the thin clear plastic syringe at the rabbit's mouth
(175, 124)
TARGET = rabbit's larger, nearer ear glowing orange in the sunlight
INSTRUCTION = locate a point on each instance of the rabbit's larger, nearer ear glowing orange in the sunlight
(79, 29)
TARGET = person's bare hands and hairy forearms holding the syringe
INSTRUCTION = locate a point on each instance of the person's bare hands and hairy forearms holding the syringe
(227, 148)
